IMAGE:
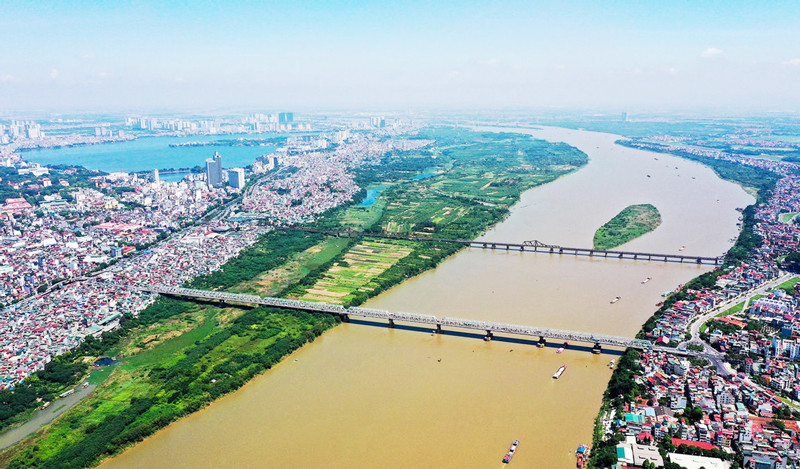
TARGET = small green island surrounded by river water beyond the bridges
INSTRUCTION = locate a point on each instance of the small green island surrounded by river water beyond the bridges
(630, 223)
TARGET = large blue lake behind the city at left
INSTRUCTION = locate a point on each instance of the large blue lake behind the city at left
(147, 153)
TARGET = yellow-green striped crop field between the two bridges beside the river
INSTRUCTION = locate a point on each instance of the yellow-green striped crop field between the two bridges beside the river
(359, 266)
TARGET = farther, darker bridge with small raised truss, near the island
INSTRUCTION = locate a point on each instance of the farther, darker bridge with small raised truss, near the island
(526, 246)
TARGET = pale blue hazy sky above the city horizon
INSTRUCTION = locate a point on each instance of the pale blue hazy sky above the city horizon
(616, 55)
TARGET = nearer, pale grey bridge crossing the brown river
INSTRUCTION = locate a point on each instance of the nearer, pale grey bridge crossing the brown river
(437, 323)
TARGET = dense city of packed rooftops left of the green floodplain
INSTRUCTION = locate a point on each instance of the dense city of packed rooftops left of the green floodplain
(70, 262)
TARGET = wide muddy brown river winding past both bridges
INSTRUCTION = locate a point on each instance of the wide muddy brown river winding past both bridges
(363, 396)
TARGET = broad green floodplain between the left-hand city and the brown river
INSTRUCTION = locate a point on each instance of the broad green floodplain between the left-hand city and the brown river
(177, 356)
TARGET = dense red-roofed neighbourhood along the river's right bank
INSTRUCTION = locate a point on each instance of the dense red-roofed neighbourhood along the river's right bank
(744, 411)
